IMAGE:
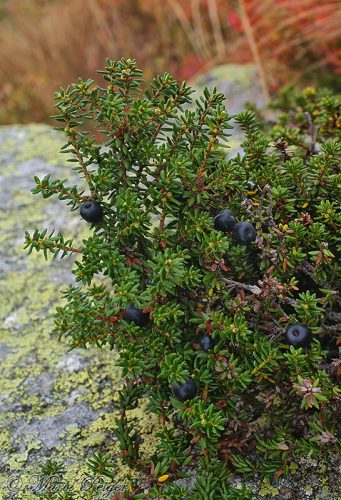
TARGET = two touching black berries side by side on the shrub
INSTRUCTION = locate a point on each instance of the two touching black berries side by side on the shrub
(243, 233)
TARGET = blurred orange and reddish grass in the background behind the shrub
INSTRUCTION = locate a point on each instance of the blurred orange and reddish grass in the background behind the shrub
(48, 43)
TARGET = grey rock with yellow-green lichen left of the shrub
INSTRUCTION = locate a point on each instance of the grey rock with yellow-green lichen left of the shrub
(53, 403)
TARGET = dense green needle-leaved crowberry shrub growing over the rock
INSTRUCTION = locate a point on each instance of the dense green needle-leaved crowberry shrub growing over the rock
(163, 176)
